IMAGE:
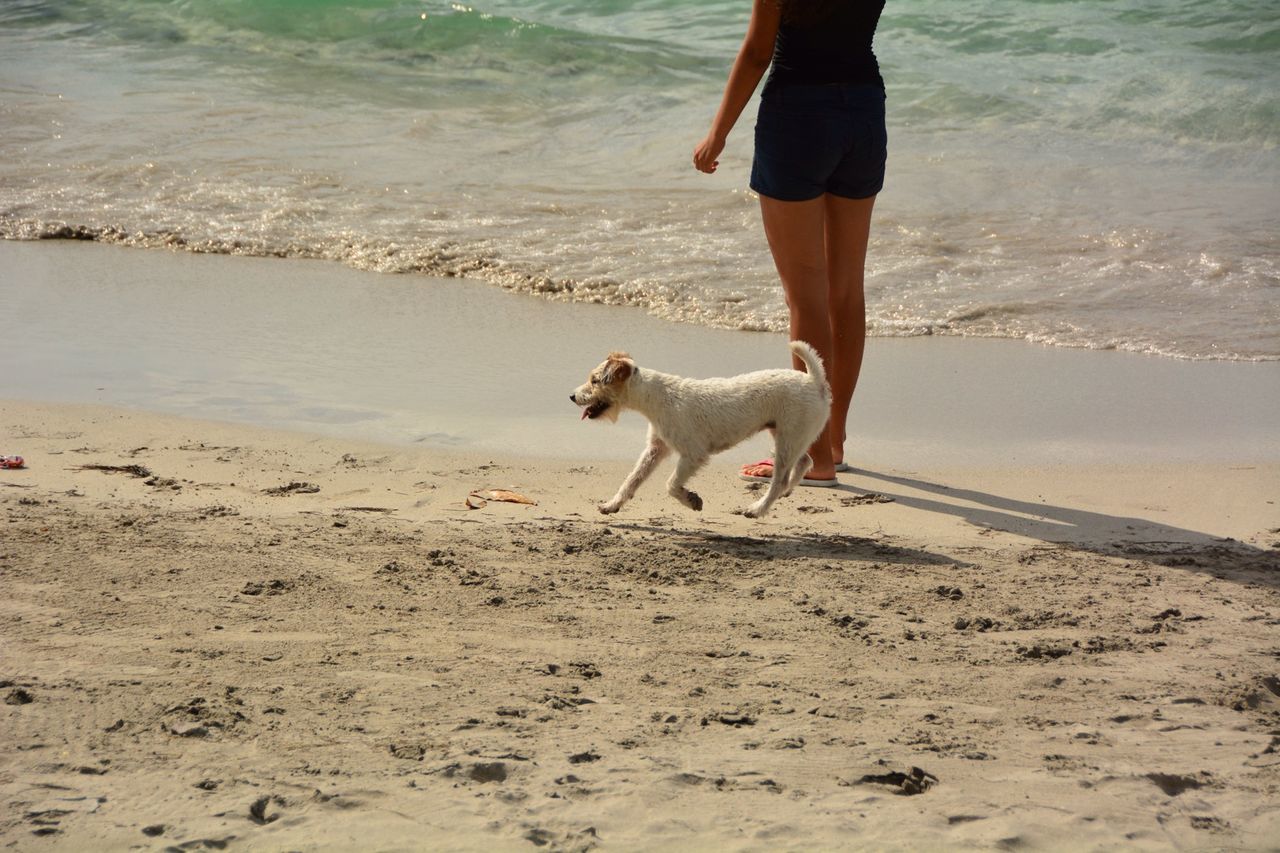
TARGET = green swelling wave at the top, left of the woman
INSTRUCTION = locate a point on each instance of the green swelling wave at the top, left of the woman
(388, 52)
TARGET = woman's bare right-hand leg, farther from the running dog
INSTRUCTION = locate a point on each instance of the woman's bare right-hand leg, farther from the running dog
(848, 222)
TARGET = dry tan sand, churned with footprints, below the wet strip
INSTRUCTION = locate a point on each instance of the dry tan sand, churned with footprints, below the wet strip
(1068, 658)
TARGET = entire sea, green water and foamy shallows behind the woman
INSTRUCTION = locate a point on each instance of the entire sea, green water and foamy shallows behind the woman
(1098, 175)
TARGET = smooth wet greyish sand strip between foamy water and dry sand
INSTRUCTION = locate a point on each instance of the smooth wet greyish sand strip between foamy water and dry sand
(454, 364)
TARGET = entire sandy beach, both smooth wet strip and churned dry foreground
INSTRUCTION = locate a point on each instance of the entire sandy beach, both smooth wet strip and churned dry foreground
(260, 595)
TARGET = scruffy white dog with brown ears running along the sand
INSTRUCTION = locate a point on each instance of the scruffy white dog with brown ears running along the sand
(698, 418)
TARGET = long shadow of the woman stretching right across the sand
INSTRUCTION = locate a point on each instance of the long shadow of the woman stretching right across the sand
(1098, 532)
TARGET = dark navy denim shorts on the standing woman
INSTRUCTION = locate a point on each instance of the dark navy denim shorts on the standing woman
(819, 139)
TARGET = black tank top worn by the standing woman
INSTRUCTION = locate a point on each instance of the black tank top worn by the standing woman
(835, 49)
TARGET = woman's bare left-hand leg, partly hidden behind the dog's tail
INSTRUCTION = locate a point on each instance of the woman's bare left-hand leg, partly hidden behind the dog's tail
(798, 239)
